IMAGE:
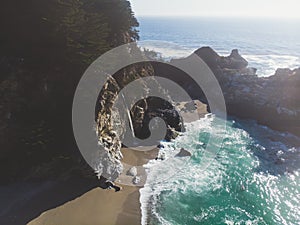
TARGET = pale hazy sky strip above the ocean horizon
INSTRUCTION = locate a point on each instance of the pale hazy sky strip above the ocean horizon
(248, 8)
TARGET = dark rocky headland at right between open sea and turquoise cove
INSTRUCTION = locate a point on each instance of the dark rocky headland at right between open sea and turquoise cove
(273, 101)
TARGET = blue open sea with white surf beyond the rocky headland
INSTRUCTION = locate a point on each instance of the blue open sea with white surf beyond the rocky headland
(267, 44)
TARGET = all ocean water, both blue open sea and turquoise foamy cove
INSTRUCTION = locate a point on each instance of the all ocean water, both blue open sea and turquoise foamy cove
(254, 175)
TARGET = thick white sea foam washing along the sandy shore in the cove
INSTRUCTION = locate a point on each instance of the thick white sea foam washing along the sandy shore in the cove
(160, 172)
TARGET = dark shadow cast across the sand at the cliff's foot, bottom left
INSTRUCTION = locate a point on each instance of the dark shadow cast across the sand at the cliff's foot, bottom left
(24, 201)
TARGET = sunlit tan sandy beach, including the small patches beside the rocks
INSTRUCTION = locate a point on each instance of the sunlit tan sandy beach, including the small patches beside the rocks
(107, 207)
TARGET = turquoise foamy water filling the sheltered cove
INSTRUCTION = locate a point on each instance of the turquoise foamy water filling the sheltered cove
(253, 178)
